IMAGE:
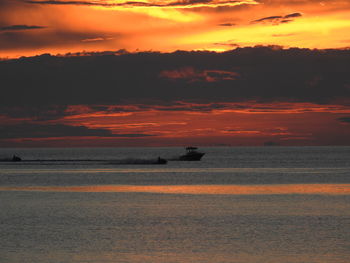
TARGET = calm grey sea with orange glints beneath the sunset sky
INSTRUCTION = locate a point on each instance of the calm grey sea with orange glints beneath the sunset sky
(237, 205)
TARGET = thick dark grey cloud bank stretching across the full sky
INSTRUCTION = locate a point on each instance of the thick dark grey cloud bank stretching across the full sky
(264, 74)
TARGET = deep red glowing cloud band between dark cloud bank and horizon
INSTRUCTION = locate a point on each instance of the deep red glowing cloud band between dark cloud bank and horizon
(202, 124)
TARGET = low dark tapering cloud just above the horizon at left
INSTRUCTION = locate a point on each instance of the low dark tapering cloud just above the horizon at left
(32, 130)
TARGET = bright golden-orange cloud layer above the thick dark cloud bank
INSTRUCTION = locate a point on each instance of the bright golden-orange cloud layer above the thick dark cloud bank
(74, 26)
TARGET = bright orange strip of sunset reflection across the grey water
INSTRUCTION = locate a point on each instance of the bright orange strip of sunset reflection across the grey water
(319, 189)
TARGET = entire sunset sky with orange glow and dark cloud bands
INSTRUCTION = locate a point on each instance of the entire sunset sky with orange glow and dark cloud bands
(174, 73)
